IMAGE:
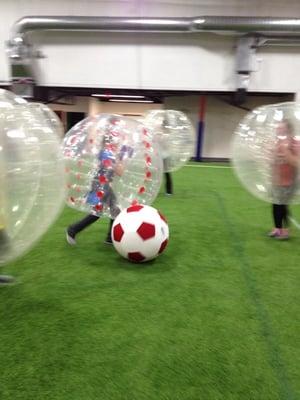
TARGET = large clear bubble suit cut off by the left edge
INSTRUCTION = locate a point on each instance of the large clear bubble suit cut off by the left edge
(31, 176)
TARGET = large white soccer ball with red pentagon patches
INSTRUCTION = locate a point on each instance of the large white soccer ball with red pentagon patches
(140, 233)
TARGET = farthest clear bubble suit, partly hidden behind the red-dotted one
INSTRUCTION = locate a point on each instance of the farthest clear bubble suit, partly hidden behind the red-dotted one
(174, 134)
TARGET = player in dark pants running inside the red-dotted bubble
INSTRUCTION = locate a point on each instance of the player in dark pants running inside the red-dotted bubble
(101, 193)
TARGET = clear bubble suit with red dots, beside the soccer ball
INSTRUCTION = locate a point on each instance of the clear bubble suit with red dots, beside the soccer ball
(111, 163)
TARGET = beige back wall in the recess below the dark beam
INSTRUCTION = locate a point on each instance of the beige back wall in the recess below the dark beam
(220, 118)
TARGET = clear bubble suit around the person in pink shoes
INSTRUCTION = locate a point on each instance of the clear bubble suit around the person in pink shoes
(266, 152)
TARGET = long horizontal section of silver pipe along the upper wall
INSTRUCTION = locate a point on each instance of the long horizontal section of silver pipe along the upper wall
(217, 24)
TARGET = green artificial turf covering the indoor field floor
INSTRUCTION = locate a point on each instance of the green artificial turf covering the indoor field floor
(215, 317)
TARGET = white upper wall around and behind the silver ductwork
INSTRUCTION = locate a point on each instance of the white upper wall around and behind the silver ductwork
(151, 61)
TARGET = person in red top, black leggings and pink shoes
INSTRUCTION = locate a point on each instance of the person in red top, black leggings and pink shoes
(284, 177)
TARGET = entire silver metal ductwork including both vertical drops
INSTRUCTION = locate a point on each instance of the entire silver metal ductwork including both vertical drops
(252, 32)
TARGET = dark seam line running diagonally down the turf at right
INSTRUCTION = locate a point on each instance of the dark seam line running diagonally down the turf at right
(275, 358)
